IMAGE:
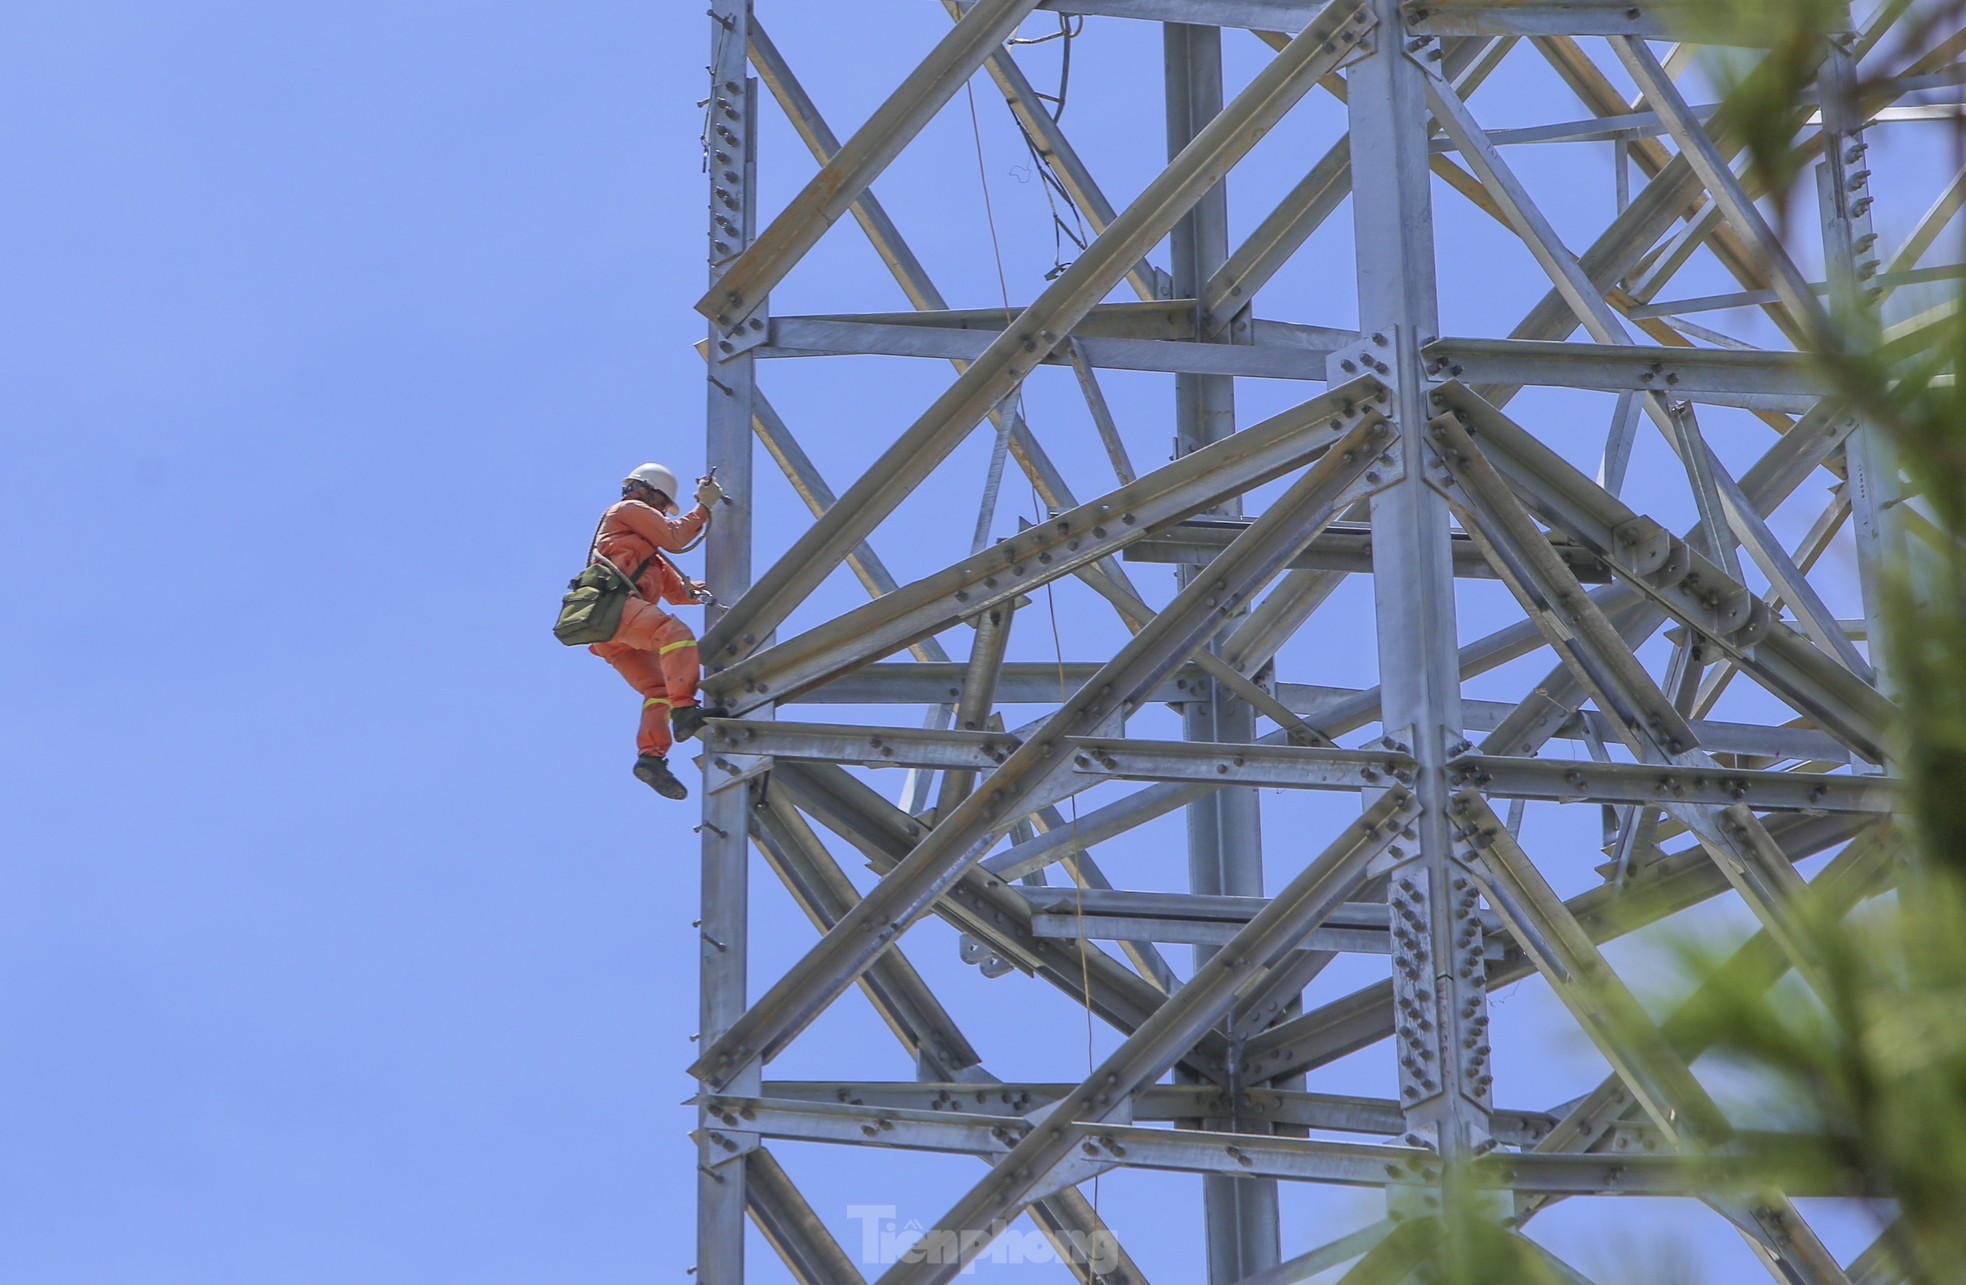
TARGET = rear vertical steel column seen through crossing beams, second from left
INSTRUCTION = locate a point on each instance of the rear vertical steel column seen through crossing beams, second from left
(1226, 828)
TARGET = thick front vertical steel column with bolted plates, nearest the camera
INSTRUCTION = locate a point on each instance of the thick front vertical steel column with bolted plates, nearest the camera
(1438, 972)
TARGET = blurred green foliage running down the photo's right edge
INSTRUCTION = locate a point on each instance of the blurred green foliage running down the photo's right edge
(1865, 1080)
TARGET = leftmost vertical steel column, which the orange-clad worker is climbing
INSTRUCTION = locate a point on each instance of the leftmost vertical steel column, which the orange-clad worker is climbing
(730, 152)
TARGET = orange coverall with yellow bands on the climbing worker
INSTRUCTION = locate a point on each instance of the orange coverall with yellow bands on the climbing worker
(654, 651)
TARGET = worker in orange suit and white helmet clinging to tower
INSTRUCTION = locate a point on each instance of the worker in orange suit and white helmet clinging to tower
(654, 651)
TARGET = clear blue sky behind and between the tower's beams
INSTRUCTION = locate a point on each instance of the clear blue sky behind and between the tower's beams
(335, 940)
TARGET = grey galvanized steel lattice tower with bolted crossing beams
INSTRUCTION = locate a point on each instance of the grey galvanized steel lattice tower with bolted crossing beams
(1403, 465)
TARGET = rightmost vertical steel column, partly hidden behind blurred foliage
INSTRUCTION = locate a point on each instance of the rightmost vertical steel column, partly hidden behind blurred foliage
(1853, 260)
